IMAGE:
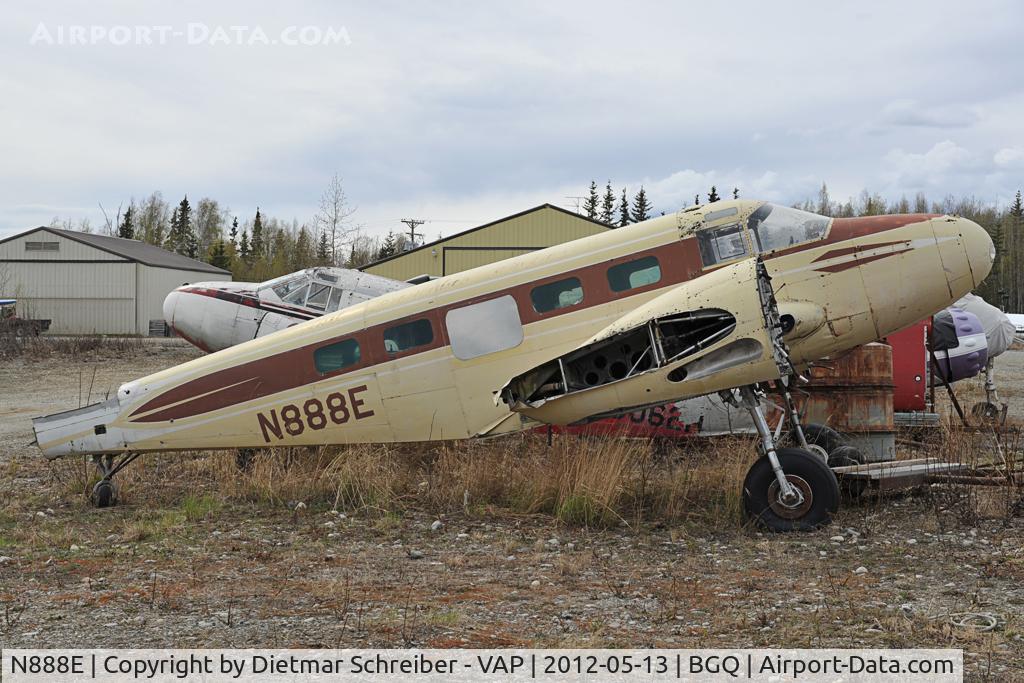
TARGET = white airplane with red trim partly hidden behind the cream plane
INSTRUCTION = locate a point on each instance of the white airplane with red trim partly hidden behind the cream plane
(217, 316)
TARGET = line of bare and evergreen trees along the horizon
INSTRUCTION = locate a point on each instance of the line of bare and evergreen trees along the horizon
(261, 247)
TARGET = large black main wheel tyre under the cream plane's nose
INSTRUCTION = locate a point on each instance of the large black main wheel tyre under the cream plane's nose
(809, 476)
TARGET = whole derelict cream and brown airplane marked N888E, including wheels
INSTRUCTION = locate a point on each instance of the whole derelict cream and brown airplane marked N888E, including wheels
(720, 298)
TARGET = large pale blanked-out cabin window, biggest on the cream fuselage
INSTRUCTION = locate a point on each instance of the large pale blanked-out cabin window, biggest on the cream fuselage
(485, 328)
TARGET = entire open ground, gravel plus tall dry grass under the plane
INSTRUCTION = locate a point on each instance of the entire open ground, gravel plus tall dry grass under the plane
(586, 543)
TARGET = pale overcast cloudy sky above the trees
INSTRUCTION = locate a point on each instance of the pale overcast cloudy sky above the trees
(463, 112)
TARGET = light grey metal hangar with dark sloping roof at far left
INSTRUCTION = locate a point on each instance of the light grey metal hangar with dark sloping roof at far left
(95, 284)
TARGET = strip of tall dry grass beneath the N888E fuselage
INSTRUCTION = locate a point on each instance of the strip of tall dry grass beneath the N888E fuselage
(595, 483)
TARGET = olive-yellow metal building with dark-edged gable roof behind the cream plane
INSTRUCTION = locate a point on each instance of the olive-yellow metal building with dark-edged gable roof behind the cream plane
(536, 229)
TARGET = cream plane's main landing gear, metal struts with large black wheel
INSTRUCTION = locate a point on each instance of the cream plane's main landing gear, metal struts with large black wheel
(787, 490)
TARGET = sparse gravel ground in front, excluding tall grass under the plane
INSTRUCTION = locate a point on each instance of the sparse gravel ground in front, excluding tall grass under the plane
(159, 573)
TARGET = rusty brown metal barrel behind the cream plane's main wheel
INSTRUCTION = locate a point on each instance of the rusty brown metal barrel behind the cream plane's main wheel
(854, 395)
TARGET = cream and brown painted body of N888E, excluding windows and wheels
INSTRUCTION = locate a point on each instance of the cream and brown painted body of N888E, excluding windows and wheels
(874, 282)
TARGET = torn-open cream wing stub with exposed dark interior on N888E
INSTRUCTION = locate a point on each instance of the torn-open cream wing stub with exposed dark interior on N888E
(716, 332)
